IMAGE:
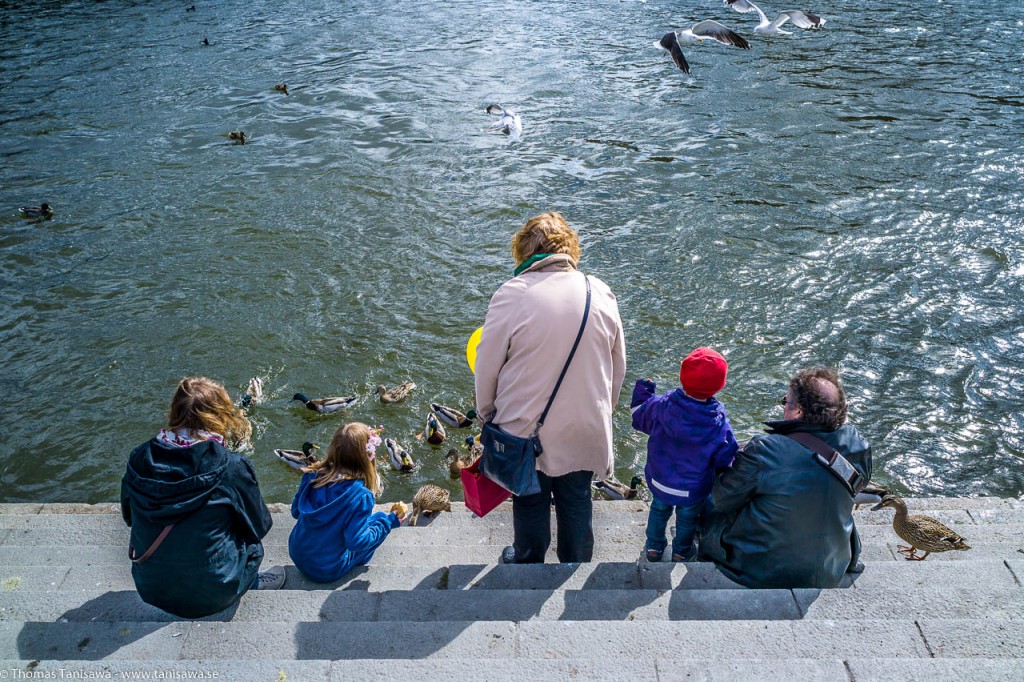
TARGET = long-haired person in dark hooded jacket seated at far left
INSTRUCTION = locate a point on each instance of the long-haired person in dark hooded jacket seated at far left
(196, 513)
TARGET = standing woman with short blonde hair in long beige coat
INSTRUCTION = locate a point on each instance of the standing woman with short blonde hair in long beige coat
(532, 324)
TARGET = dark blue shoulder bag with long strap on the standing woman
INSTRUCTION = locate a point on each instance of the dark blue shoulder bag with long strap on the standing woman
(510, 461)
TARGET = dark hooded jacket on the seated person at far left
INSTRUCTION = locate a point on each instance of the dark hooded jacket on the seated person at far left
(212, 555)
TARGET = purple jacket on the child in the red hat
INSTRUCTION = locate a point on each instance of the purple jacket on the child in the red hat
(691, 440)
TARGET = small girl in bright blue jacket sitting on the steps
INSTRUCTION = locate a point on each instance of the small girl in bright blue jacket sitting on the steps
(337, 529)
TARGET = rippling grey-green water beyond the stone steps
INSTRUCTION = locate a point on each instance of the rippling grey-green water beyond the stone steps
(851, 196)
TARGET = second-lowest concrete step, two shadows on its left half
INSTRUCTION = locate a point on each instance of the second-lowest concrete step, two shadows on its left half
(598, 641)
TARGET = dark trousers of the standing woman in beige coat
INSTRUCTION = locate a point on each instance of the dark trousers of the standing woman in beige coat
(574, 511)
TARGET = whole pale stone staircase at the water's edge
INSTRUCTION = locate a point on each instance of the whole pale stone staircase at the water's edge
(435, 604)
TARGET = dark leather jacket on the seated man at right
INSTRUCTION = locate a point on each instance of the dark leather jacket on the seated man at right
(782, 520)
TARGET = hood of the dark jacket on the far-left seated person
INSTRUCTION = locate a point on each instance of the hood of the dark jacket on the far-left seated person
(167, 483)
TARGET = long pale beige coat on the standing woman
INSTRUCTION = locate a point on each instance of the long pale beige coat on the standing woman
(532, 323)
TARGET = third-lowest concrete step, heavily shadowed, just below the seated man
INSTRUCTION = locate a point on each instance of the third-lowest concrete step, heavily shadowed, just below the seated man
(559, 605)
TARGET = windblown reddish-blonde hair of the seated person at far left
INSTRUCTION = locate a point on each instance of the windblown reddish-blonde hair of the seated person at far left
(203, 405)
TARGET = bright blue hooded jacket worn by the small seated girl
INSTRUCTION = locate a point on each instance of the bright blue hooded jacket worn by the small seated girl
(336, 525)
